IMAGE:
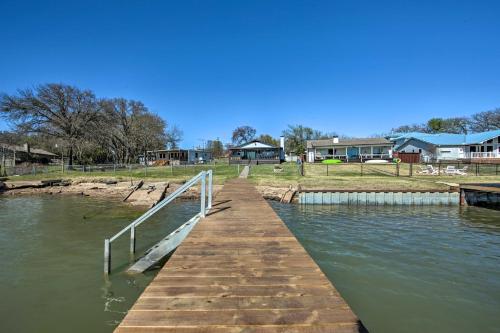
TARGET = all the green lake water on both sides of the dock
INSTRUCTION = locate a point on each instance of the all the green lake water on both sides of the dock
(402, 269)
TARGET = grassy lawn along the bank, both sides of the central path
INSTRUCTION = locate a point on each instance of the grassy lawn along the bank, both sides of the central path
(343, 176)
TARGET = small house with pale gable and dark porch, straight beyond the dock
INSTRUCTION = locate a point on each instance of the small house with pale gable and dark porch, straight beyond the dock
(256, 152)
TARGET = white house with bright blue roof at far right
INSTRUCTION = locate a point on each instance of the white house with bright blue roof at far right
(447, 146)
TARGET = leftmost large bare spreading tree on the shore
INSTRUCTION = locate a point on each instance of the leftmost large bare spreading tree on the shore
(57, 110)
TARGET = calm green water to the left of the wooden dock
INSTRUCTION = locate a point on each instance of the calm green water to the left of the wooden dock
(51, 257)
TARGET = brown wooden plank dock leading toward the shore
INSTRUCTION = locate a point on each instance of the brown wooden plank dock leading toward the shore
(240, 270)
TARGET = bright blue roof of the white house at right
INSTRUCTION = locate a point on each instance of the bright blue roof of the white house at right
(442, 139)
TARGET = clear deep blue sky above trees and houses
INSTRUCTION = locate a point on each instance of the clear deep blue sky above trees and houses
(354, 67)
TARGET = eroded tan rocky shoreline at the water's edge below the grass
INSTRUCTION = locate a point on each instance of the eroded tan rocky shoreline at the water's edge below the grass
(136, 193)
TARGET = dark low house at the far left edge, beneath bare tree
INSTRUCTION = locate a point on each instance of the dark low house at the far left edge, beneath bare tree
(12, 155)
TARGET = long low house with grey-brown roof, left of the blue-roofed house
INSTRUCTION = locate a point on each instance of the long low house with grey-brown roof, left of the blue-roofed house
(349, 150)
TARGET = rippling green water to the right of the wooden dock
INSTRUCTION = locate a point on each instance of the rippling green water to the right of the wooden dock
(404, 269)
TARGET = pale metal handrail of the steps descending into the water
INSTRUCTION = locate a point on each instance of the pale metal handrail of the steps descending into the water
(205, 206)
